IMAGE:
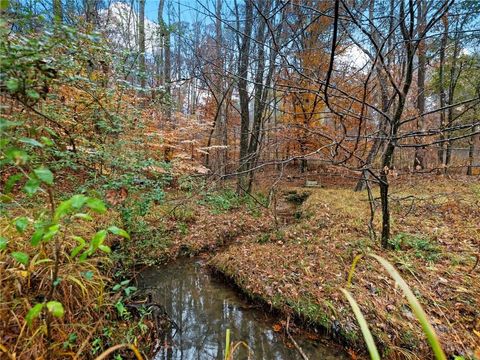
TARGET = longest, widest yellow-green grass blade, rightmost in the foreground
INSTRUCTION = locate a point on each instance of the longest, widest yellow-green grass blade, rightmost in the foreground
(416, 308)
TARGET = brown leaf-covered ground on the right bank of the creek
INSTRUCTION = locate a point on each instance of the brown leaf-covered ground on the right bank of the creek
(300, 264)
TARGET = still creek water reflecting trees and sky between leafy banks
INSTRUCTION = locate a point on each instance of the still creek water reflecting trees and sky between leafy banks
(204, 307)
